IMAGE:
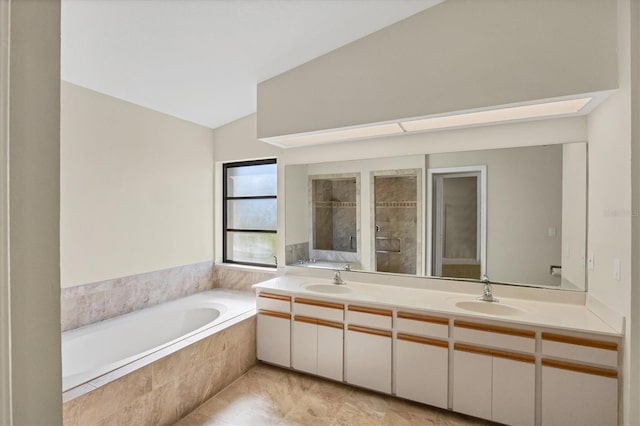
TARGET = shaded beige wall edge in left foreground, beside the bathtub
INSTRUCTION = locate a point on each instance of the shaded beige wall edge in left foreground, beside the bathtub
(34, 212)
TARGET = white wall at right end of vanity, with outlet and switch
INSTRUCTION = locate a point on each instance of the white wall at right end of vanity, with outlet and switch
(609, 232)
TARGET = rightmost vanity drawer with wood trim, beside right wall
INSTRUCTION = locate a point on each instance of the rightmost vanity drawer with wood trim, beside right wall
(580, 349)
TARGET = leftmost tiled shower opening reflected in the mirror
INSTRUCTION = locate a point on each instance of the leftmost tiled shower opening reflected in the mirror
(334, 209)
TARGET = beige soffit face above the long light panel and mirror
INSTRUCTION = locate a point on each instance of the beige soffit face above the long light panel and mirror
(458, 55)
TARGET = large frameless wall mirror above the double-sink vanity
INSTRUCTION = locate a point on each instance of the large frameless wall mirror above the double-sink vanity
(517, 215)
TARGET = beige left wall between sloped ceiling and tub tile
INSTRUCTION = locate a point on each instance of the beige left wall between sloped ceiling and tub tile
(136, 189)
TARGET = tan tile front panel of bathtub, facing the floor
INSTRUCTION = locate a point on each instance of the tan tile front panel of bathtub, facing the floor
(166, 390)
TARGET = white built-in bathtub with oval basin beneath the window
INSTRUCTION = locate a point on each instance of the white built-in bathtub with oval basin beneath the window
(96, 350)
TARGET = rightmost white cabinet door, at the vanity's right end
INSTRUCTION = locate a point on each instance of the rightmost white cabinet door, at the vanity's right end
(578, 398)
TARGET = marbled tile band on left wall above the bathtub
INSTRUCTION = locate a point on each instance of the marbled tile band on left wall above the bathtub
(89, 303)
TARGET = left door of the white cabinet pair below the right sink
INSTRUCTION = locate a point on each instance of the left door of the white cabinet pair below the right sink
(472, 377)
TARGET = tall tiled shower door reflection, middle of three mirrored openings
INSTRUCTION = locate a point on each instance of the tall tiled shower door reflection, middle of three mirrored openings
(395, 223)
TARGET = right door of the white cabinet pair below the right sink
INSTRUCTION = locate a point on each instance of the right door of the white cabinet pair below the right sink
(514, 385)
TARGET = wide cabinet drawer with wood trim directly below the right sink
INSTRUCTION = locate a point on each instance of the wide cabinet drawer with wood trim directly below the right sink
(495, 336)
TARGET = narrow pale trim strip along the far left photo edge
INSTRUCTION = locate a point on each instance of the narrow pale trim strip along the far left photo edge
(5, 303)
